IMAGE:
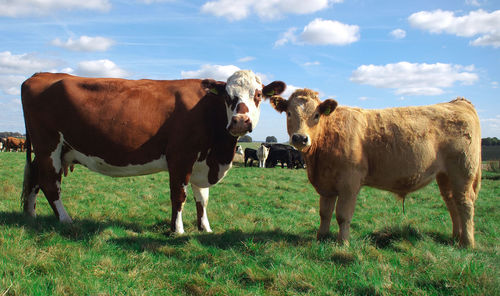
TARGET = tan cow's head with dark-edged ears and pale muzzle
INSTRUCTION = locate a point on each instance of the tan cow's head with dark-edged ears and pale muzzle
(304, 111)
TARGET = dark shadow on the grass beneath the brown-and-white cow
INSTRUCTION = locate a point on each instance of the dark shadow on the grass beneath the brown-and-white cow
(144, 237)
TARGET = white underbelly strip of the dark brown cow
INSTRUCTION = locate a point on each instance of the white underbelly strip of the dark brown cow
(99, 165)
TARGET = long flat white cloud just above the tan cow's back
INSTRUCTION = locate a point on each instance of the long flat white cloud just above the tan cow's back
(413, 78)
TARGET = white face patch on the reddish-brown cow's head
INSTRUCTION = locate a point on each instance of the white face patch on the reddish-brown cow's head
(242, 85)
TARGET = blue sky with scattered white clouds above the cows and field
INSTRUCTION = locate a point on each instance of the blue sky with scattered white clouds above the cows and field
(365, 53)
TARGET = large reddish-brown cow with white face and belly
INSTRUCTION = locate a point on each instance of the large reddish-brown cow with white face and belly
(120, 127)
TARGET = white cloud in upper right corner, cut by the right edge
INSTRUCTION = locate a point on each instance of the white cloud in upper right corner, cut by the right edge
(477, 22)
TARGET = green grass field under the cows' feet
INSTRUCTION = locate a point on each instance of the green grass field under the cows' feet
(264, 222)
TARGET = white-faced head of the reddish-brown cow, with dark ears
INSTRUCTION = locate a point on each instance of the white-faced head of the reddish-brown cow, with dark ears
(244, 93)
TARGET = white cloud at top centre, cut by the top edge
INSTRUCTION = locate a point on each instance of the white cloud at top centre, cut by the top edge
(234, 10)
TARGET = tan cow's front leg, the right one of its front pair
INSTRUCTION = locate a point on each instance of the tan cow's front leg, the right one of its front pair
(344, 211)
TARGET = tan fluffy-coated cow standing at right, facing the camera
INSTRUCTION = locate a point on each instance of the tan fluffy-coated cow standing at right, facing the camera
(396, 149)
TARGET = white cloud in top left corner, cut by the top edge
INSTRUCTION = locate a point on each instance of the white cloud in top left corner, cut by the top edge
(18, 8)
